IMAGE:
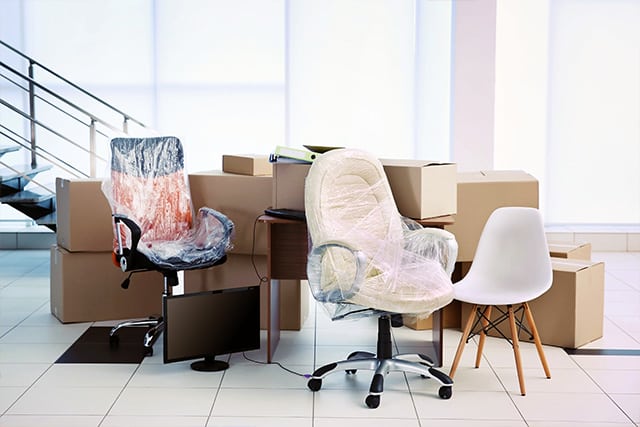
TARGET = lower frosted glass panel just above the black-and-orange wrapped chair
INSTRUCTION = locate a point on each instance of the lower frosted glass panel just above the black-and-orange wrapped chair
(215, 121)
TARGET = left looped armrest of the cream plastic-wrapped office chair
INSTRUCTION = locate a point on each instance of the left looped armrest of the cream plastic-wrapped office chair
(346, 267)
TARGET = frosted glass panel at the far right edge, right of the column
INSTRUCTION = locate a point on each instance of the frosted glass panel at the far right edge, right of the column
(594, 128)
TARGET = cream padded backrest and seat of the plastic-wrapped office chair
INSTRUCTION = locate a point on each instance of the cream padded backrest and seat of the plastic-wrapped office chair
(359, 248)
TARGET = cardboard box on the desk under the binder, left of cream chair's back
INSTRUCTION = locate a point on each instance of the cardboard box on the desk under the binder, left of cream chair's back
(288, 184)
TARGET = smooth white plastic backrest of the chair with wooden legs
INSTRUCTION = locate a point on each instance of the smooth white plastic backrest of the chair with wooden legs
(513, 251)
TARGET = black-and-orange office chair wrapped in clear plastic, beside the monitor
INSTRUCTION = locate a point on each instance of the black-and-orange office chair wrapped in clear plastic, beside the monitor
(154, 225)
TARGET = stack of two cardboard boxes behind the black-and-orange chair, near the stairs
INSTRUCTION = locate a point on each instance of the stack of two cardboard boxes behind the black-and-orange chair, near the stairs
(85, 284)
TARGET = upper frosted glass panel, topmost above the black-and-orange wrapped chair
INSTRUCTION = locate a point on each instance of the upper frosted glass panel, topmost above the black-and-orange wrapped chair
(220, 41)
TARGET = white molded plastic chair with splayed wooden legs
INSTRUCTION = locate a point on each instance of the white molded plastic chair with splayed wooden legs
(511, 267)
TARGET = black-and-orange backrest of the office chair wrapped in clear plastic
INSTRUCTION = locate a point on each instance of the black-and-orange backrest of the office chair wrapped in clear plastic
(148, 184)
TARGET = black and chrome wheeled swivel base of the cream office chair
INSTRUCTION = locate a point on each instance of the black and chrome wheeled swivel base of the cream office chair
(382, 364)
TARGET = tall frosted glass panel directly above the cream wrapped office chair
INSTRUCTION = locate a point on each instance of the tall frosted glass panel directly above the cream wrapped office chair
(351, 75)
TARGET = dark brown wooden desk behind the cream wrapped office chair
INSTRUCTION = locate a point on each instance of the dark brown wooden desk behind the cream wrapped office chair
(287, 248)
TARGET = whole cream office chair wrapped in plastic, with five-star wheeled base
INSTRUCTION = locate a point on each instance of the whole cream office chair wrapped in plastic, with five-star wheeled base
(366, 259)
